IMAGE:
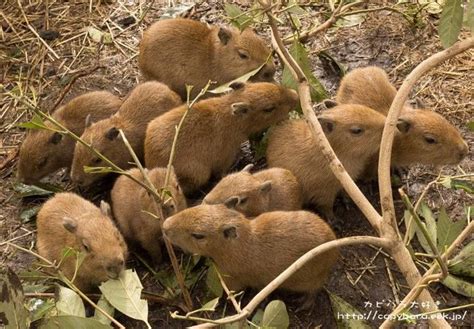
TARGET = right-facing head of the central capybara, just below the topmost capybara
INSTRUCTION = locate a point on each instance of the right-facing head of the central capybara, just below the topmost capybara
(259, 105)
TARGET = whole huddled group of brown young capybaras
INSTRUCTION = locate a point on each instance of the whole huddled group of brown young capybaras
(252, 223)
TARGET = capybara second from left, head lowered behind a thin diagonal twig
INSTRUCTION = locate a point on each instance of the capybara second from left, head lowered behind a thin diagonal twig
(144, 103)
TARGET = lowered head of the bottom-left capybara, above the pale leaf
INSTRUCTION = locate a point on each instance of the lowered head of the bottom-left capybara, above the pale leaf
(104, 248)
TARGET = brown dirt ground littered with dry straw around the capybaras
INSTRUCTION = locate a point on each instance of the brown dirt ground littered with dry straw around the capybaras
(384, 38)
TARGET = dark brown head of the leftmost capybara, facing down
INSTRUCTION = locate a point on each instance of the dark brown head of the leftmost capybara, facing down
(42, 153)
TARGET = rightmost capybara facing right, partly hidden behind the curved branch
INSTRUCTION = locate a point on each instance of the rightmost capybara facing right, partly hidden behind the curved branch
(425, 136)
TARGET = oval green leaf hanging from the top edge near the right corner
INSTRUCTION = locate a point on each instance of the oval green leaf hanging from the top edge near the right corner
(450, 23)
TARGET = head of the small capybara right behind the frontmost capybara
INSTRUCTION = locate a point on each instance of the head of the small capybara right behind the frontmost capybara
(242, 192)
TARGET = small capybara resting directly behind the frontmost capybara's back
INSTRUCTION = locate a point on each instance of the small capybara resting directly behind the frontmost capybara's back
(253, 194)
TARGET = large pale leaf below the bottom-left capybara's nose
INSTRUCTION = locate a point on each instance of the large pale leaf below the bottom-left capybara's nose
(124, 294)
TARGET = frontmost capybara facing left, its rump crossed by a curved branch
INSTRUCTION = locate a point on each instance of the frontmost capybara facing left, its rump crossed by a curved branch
(251, 253)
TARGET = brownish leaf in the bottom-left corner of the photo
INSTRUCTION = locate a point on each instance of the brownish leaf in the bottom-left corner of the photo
(12, 311)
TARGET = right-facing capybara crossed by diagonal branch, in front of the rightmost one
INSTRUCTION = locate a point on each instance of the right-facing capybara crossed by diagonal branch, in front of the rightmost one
(291, 145)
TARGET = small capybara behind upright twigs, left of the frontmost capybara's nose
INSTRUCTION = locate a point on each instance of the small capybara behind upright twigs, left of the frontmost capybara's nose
(132, 205)
